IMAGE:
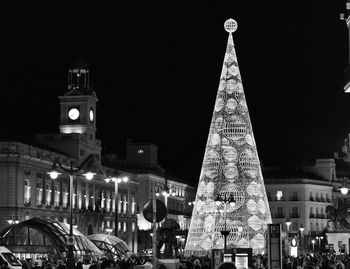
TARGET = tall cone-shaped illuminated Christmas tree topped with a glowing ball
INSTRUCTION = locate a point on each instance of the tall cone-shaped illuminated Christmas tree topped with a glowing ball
(230, 167)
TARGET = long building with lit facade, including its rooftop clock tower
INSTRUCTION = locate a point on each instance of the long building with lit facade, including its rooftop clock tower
(27, 191)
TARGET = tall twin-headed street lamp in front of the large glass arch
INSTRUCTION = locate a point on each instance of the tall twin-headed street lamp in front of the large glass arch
(72, 171)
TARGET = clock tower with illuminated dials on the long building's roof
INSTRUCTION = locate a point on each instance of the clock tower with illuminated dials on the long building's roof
(77, 136)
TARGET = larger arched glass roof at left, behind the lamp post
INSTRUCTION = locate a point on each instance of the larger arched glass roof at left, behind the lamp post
(45, 236)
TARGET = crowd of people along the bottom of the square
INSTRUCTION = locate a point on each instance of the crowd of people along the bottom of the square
(309, 261)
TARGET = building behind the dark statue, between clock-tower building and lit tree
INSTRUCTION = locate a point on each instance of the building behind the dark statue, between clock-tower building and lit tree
(143, 162)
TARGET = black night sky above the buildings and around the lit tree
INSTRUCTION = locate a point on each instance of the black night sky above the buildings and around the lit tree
(156, 71)
